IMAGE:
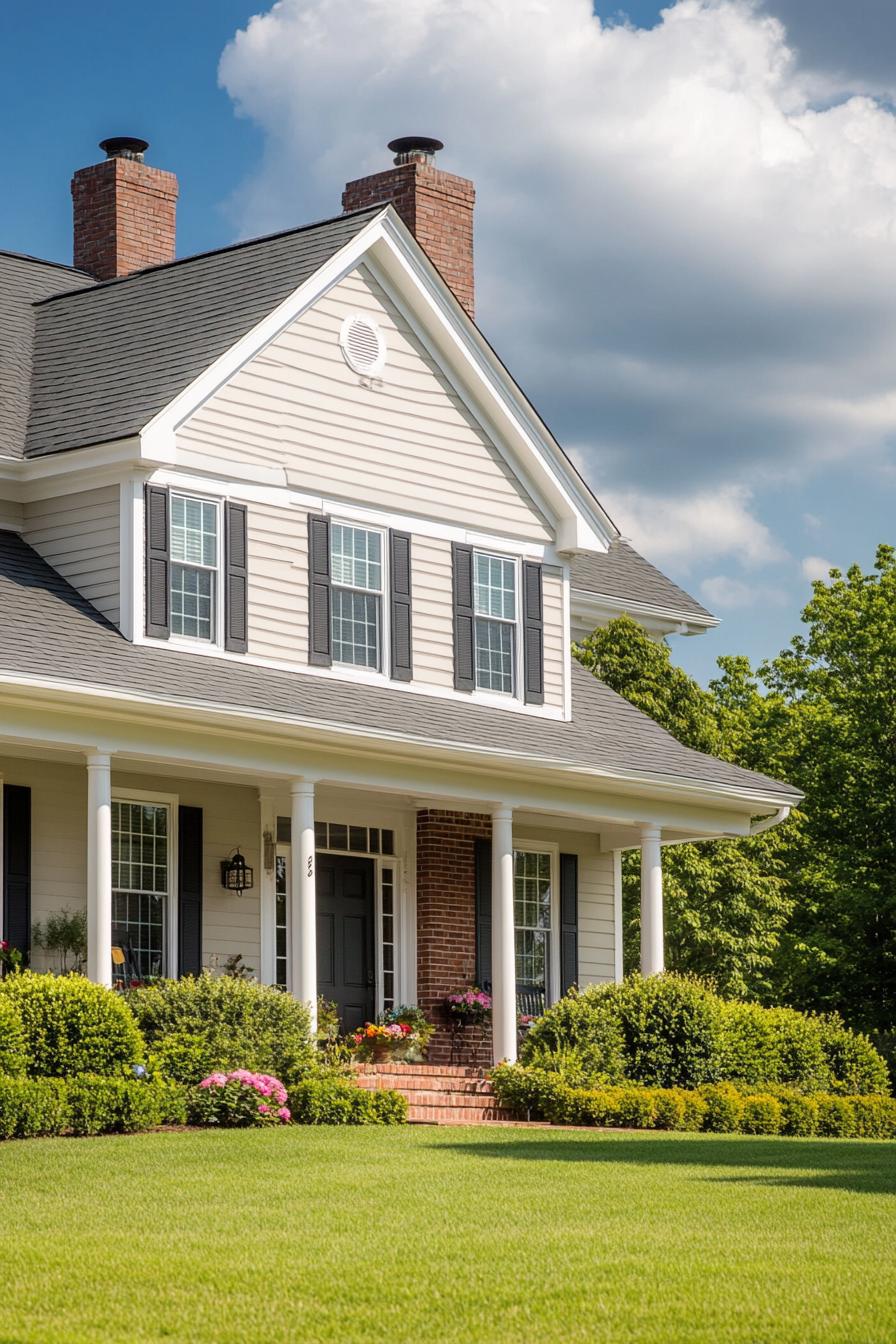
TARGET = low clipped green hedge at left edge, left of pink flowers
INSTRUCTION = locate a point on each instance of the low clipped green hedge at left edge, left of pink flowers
(87, 1105)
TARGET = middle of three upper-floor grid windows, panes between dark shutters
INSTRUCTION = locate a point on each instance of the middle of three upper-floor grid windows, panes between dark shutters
(357, 577)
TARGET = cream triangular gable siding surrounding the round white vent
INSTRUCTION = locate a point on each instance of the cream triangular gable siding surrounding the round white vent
(404, 442)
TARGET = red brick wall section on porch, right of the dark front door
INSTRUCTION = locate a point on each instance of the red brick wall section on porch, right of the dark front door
(447, 923)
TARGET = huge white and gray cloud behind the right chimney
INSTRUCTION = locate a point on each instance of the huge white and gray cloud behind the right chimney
(688, 264)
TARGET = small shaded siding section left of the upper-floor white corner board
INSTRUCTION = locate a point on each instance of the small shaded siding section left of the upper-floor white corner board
(80, 537)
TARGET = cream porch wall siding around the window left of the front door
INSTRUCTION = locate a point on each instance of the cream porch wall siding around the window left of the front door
(60, 849)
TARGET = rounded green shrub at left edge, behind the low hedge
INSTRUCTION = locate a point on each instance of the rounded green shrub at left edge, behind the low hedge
(73, 1026)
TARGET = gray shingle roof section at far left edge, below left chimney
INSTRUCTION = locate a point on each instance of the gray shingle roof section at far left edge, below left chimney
(24, 283)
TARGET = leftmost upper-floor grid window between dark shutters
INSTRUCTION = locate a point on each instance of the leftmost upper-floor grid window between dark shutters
(194, 566)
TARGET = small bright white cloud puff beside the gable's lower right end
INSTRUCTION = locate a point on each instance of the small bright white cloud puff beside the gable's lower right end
(701, 528)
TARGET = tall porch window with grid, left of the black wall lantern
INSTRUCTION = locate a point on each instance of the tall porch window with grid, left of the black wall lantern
(140, 876)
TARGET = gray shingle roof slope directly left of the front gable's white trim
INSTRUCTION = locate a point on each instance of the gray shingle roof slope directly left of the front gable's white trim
(112, 357)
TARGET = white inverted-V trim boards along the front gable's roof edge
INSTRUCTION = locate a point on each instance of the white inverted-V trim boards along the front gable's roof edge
(455, 342)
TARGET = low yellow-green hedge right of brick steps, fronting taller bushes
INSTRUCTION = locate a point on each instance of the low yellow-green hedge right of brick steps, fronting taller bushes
(714, 1108)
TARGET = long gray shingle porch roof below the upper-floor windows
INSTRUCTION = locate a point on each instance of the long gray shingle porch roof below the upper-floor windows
(50, 631)
